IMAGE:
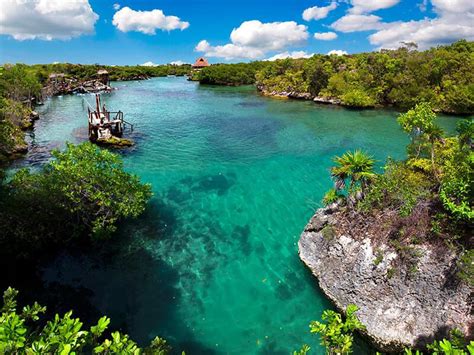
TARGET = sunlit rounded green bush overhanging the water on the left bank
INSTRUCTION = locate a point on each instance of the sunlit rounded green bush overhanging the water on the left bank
(90, 184)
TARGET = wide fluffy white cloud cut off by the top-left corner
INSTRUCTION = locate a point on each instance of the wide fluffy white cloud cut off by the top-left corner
(46, 19)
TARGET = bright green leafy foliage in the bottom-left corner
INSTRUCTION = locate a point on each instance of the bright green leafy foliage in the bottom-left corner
(24, 332)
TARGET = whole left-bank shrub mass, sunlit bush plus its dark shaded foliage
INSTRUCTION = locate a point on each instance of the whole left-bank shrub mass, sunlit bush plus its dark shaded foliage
(82, 191)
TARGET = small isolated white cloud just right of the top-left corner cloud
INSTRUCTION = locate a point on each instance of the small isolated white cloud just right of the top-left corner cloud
(147, 22)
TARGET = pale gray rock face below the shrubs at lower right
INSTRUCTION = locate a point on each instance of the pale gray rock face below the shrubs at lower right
(397, 309)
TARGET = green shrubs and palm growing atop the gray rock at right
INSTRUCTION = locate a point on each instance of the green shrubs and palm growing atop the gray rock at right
(427, 198)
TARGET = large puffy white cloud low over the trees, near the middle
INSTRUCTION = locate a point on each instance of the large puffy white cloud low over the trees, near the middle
(253, 39)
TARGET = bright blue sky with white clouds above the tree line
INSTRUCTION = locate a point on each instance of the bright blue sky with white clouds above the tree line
(85, 31)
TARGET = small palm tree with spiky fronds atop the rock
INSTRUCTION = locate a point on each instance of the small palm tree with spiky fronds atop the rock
(356, 166)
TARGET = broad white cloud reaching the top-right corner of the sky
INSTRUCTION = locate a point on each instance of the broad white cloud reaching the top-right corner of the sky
(455, 21)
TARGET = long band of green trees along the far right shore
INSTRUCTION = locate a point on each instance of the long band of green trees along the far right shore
(441, 76)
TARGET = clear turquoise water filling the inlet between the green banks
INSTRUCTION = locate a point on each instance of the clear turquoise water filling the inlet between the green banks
(213, 264)
